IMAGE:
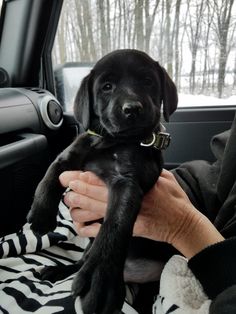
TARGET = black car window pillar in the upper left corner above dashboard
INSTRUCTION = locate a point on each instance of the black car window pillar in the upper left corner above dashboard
(28, 59)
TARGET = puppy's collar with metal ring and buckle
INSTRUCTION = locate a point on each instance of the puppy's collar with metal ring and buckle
(158, 140)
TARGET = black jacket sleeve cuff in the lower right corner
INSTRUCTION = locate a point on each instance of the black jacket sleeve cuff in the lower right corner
(215, 268)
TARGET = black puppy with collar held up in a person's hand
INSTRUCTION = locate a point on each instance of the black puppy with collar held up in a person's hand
(120, 101)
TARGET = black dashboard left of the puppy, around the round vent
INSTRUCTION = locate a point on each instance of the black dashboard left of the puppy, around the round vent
(25, 153)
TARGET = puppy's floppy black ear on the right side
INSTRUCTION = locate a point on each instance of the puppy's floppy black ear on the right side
(169, 93)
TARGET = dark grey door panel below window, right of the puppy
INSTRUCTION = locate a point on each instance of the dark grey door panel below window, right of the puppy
(191, 132)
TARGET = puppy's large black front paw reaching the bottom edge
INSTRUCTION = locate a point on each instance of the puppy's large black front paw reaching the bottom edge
(100, 286)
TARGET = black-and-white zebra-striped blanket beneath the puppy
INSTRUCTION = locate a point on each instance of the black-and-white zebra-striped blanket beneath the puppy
(24, 255)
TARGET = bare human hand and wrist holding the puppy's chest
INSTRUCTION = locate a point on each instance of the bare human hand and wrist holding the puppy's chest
(166, 214)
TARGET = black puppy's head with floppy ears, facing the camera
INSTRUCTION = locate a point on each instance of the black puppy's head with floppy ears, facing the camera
(123, 94)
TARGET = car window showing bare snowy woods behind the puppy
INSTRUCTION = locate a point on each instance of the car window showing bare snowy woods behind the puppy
(193, 39)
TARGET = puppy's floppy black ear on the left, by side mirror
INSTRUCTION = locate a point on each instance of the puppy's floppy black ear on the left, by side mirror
(84, 101)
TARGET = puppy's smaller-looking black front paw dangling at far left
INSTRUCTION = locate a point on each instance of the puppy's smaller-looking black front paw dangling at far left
(42, 217)
